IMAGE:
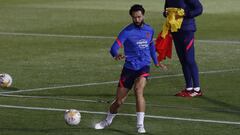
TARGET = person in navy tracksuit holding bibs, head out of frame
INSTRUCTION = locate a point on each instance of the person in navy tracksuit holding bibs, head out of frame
(184, 43)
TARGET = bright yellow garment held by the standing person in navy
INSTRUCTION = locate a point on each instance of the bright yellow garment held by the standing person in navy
(172, 23)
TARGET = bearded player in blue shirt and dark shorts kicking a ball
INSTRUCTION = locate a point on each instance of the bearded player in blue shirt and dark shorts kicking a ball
(137, 41)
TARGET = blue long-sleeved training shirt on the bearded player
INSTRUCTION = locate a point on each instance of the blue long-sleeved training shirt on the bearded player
(138, 46)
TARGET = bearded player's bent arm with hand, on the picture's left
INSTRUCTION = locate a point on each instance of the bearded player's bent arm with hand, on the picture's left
(118, 43)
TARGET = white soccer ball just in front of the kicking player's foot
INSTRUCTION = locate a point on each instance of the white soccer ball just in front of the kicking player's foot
(72, 117)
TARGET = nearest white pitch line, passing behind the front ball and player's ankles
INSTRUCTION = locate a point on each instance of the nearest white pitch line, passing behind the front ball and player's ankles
(125, 114)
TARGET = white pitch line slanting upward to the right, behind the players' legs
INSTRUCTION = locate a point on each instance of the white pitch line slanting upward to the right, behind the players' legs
(110, 82)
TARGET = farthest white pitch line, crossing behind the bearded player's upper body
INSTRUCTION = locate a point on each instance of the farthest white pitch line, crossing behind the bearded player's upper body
(100, 37)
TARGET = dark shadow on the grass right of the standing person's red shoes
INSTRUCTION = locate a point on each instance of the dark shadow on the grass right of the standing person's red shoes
(228, 108)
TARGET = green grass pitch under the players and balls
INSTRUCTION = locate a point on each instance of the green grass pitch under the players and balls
(57, 52)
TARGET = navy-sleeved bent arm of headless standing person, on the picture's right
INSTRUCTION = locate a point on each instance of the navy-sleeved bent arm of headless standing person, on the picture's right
(194, 9)
